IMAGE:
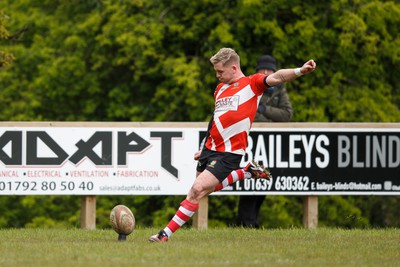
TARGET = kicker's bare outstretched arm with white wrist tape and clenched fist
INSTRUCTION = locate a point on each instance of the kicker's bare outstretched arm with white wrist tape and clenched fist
(287, 75)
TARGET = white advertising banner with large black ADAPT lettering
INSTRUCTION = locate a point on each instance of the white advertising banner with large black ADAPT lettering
(97, 161)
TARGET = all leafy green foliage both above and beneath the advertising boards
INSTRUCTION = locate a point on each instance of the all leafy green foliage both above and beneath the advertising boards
(148, 60)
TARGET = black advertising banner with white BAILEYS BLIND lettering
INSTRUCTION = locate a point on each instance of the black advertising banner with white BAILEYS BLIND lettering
(324, 162)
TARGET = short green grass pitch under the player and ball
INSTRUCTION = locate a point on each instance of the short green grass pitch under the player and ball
(211, 247)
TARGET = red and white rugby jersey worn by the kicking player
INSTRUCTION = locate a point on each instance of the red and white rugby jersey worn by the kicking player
(235, 108)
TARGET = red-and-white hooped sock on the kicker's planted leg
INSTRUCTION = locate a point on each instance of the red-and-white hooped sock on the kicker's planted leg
(184, 213)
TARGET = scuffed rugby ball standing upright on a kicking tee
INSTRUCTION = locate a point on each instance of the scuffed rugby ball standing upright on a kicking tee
(122, 220)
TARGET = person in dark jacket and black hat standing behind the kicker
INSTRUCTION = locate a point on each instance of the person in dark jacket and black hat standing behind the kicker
(274, 106)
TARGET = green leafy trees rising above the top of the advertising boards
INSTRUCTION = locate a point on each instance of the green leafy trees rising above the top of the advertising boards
(148, 60)
